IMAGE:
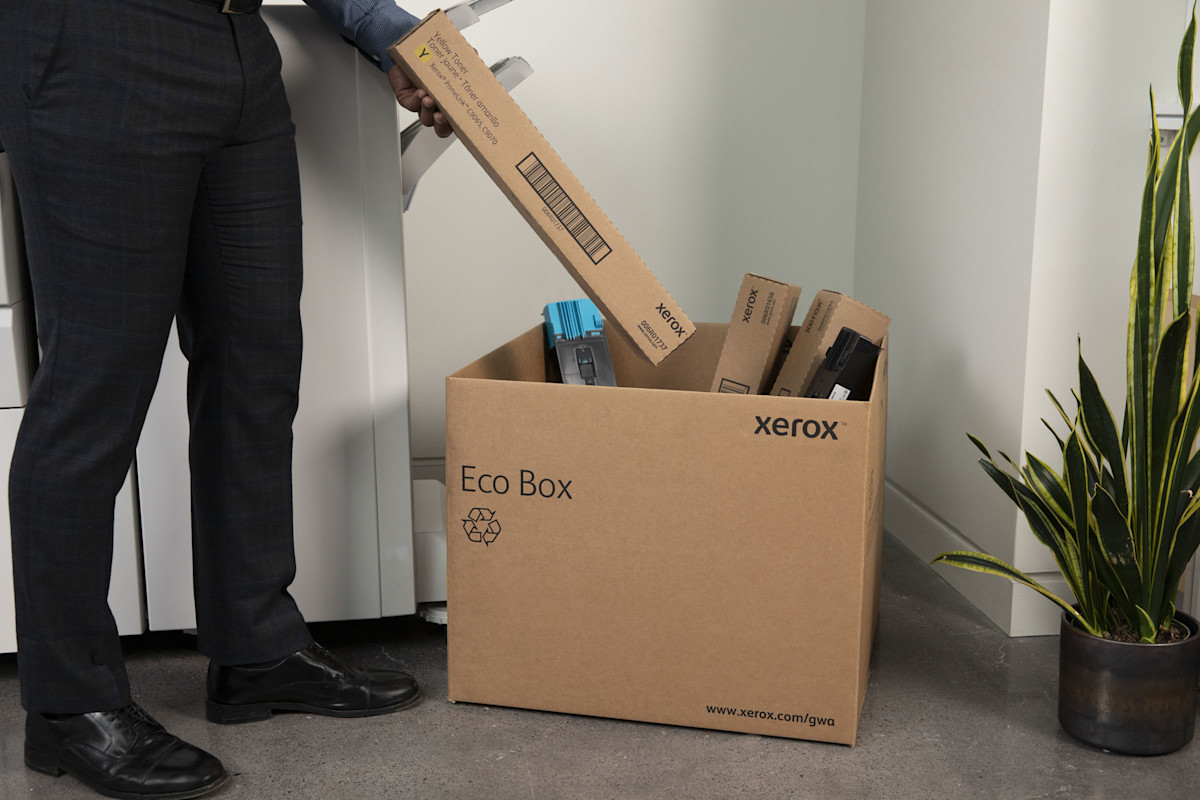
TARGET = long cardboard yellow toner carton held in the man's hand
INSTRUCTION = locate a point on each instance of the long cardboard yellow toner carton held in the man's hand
(538, 183)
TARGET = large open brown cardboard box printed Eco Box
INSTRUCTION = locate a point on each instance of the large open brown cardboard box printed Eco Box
(659, 552)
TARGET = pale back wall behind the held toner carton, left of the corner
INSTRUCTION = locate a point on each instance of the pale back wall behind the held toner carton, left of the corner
(719, 137)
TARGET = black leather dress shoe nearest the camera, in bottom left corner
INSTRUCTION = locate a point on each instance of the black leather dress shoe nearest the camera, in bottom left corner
(122, 754)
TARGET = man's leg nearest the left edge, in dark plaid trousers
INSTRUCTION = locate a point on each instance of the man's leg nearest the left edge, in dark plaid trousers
(106, 164)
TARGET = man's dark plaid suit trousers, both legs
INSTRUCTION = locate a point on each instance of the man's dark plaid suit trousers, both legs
(154, 155)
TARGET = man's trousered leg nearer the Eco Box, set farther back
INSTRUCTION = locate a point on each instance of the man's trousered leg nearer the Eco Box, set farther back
(239, 326)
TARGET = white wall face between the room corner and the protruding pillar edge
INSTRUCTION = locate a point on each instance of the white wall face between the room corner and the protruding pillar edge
(952, 107)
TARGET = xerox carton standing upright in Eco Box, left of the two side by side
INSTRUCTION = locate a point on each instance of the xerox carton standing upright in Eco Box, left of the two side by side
(763, 317)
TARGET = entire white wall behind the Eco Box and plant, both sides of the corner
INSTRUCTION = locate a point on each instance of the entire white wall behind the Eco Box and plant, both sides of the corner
(969, 167)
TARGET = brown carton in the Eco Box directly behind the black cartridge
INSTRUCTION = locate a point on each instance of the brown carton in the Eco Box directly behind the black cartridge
(830, 312)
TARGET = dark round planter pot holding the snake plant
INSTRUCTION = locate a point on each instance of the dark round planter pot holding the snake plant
(1129, 699)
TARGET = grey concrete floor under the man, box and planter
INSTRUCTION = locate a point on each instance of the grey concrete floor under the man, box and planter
(955, 709)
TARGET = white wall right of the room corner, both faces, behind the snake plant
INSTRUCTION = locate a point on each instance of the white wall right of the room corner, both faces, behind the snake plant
(1004, 147)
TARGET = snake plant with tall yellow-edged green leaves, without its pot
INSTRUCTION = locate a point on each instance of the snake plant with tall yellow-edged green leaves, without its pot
(1123, 515)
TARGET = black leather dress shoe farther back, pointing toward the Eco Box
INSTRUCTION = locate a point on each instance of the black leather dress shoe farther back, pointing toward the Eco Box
(313, 681)
